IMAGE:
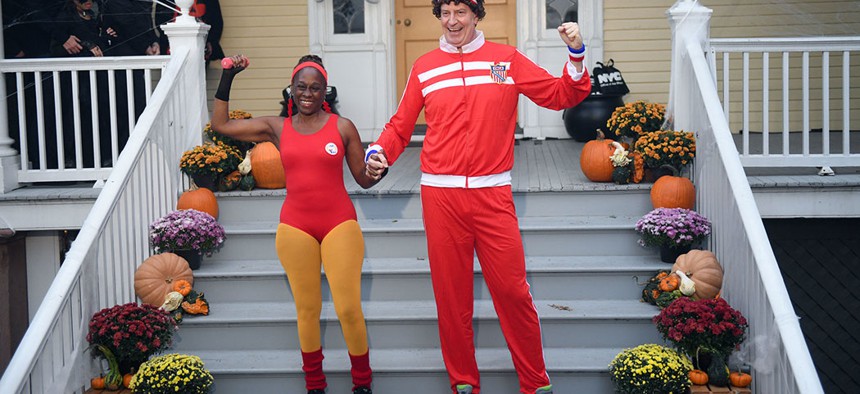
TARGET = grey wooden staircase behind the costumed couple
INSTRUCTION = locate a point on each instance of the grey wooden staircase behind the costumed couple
(584, 266)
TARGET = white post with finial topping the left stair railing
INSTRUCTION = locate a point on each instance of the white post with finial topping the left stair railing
(187, 33)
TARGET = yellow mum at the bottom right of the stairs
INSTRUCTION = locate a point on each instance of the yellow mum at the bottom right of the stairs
(650, 369)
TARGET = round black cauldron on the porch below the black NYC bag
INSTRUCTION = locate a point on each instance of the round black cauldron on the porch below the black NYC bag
(583, 120)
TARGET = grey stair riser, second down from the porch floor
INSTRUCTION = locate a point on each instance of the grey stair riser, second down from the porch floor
(563, 242)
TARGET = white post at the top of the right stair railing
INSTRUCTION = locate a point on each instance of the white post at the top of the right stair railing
(690, 23)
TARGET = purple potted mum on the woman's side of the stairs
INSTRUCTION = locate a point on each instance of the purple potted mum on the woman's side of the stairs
(188, 233)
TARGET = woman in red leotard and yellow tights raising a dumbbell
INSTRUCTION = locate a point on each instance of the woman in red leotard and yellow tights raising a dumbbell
(317, 223)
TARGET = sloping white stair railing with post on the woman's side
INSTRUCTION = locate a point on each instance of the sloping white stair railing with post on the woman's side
(98, 270)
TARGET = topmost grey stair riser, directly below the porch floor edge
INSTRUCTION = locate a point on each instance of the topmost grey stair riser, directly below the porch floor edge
(234, 209)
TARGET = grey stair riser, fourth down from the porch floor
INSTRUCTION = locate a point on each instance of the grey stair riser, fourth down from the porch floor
(407, 333)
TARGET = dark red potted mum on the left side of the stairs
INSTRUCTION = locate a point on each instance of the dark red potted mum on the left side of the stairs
(127, 335)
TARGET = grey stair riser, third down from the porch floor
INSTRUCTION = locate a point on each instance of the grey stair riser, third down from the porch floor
(398, 287)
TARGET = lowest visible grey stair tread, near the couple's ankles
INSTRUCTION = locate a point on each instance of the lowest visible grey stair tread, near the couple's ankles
(400, 360)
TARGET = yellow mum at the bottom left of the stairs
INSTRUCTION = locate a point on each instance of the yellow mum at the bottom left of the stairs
(172, 373)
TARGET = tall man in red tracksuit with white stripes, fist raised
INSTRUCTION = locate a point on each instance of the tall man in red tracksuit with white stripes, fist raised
(469, 89)
